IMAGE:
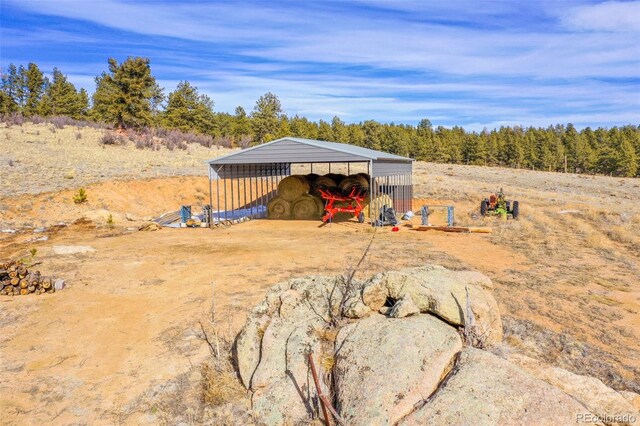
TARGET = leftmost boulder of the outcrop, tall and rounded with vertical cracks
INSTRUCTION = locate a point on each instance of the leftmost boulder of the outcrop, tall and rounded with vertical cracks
(272, 348)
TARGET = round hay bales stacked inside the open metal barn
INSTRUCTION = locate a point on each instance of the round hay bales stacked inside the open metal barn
(299, 196)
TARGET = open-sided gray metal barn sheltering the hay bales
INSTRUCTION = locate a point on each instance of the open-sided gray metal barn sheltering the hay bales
(245, 181)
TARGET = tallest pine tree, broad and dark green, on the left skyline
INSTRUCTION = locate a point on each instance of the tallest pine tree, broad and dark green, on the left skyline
(128, 95)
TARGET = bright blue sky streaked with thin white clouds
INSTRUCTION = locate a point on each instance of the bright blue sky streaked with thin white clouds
(471, 63)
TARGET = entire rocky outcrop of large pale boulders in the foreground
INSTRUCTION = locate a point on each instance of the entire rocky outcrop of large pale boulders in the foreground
(394, 349)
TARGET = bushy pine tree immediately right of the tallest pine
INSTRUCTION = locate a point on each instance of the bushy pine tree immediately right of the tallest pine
(188, 110)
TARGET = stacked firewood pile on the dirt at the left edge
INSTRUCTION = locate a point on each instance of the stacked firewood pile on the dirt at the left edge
(16, 279)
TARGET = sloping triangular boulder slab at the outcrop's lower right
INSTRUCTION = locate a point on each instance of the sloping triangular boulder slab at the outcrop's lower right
(487, 390)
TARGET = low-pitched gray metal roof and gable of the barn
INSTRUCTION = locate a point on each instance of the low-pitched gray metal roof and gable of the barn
(298, 150)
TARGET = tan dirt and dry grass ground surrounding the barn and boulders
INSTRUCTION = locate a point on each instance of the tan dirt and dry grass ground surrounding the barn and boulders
(122, 344)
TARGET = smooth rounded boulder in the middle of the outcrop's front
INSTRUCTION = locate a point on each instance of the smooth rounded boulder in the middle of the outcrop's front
(384, 365)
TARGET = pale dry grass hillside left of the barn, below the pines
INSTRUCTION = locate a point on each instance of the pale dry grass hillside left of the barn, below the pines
(36, 158)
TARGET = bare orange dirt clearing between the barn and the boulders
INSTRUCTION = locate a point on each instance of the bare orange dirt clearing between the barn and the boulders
(128, 322)
